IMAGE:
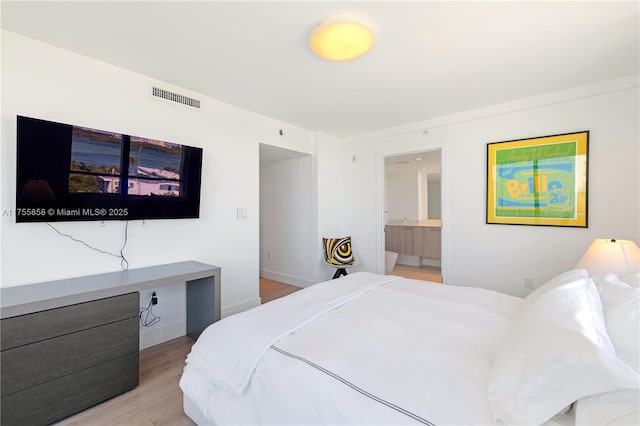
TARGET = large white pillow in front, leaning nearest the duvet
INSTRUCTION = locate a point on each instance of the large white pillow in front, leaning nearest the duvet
(556, 352)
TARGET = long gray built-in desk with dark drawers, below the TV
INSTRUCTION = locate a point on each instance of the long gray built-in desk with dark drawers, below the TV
(73, 343)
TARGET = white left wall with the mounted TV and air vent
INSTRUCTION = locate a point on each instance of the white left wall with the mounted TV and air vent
(46, 82)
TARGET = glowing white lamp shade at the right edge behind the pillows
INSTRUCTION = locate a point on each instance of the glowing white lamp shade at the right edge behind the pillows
(621, 257)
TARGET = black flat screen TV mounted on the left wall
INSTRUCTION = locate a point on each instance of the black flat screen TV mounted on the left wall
(75, 173)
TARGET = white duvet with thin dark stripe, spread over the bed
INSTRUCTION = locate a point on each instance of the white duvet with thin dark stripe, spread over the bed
(364, 349)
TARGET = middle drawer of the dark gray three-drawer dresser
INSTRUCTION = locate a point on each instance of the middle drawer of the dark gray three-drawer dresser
(40, 362)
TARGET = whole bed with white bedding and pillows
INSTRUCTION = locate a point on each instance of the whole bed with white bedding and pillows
(380, 350)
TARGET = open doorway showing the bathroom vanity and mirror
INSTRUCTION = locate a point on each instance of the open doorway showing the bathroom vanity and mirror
(412, 215)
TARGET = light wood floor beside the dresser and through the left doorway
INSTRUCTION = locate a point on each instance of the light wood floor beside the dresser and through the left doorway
(157, 400)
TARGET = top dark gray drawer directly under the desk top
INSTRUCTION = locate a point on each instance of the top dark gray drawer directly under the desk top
(25, 329)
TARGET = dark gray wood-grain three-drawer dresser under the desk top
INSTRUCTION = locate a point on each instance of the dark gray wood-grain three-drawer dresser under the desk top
(60, 361)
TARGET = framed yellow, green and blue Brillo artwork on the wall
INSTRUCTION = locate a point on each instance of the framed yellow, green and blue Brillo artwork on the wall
(538, 181)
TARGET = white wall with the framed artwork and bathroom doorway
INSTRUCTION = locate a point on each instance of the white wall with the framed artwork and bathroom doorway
(499, 256)
